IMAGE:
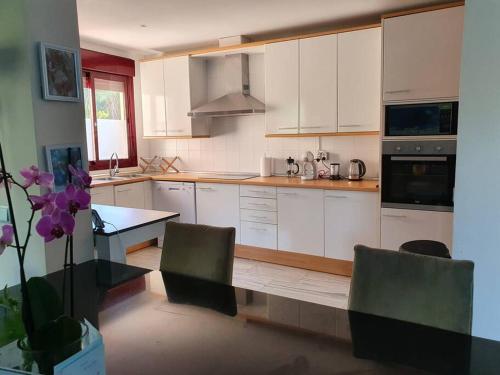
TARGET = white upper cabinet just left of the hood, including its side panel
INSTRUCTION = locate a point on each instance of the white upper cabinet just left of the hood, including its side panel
(185, 88)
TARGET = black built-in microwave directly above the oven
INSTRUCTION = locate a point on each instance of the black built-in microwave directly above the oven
(422, 119)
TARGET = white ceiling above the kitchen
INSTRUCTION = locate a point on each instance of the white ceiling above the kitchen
(167, 25)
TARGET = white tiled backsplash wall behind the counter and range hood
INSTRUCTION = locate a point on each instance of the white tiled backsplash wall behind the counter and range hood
(237, 143)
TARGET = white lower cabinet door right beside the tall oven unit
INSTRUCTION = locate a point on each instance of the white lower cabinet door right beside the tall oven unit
(351, 218)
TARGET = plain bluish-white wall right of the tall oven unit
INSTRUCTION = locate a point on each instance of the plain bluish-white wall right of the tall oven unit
(477, 193)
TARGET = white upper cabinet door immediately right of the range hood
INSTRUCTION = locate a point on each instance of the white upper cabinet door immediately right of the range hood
(282, 87)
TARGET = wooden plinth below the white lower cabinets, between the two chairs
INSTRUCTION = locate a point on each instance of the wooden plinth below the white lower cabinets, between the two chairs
(285, 258)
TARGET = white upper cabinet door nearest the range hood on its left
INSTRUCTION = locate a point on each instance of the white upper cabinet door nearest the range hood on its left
(177, 96)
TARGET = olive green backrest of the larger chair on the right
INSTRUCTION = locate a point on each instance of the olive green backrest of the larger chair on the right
(416, 288)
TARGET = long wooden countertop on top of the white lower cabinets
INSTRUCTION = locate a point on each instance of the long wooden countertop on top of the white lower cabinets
(278, 181)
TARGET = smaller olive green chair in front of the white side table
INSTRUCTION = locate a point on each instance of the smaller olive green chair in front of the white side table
(200, 251)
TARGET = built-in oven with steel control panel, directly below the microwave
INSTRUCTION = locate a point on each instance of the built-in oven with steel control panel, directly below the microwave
(418, 174)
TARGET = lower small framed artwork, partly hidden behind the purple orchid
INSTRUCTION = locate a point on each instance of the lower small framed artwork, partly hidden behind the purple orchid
(58, 159)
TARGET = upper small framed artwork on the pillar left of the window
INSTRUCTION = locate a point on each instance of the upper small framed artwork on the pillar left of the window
(61, 73)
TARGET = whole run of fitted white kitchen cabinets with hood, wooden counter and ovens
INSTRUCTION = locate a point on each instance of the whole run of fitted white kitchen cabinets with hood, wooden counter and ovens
(331, 98)
